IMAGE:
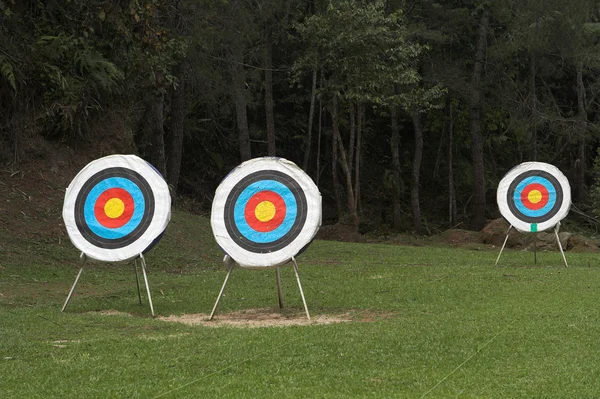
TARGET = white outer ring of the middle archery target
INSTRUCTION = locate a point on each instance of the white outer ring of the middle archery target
(311, 226)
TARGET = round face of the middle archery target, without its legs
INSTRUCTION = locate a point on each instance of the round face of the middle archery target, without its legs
(265, 211)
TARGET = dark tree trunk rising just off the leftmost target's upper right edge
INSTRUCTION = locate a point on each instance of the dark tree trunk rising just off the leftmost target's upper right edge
(175, 138)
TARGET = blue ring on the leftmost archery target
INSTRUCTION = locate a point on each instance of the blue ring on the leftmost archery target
(97, 190)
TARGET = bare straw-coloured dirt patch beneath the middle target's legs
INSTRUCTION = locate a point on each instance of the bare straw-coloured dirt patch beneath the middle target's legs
(268, 317)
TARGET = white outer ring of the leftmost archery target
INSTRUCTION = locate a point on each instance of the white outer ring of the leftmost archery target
(160, 220)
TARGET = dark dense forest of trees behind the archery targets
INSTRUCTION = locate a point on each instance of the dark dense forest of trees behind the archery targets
(405, 113)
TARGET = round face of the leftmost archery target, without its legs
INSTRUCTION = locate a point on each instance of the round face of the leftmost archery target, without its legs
(116, 208)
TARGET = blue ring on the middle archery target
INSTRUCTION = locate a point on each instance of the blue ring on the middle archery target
(285, 226)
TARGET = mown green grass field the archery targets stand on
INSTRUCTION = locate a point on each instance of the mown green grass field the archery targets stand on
(430, 321)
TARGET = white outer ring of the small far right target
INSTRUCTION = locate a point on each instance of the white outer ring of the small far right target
(508, 179)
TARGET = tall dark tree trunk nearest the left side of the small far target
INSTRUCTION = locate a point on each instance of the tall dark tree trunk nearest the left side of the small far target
(475, 126)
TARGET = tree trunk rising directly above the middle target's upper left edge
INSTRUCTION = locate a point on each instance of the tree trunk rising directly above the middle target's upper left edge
(238, 75)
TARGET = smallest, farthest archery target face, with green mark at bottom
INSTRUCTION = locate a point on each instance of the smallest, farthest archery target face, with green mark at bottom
(534, 196)
